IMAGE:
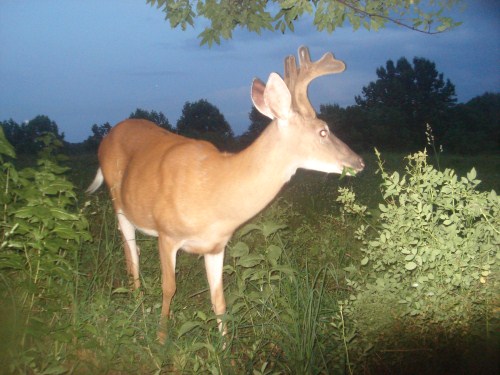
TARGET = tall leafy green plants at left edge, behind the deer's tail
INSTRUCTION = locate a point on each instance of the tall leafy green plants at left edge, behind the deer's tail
(40, 235)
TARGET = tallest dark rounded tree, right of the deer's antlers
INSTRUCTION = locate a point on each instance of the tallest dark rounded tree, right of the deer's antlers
(404, 99)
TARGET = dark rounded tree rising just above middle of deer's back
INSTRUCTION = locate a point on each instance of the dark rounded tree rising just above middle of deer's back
(203, 120)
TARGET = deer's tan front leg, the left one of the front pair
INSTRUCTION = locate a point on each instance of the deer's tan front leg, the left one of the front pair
(168, 256)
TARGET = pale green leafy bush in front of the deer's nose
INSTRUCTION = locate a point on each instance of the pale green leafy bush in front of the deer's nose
(431, 258)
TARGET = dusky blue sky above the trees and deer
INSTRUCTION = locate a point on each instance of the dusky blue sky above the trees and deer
(95, 61)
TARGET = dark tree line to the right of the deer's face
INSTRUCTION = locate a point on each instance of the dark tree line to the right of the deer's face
(410, 105)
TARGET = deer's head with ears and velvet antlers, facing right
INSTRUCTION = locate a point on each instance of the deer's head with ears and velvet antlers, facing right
(309, 140)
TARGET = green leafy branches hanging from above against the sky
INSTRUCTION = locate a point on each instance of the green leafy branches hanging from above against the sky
(327, 15)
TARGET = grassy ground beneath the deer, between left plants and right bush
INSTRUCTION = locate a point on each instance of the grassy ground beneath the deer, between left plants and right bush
(287, 290)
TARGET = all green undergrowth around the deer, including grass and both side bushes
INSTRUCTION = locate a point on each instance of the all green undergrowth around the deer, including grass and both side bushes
(389, 272)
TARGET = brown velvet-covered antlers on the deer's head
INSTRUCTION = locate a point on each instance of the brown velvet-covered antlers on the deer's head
(298, 78)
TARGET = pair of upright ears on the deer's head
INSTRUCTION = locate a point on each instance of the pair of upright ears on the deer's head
(272, 100)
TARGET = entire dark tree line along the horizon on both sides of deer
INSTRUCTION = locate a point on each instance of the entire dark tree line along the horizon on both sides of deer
(408, 106)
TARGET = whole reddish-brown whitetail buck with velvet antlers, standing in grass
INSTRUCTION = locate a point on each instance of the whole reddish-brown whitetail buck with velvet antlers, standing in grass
(193, 197)
